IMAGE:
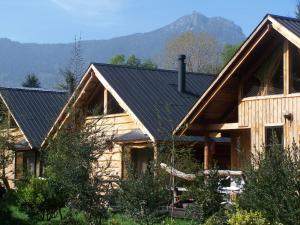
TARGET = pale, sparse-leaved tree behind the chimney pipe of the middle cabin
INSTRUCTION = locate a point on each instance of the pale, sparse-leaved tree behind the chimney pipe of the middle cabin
(202, 52)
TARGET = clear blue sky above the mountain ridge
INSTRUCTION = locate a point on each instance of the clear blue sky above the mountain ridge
(59, 21)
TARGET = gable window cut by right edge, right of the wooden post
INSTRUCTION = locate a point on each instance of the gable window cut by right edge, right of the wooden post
(295, 69)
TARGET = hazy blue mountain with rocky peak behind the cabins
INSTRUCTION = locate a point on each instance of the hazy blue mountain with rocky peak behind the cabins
(18, 59)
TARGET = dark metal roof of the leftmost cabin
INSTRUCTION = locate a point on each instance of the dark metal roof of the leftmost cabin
(34, 110)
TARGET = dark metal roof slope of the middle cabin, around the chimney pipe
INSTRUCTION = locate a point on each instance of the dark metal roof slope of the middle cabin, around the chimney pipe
(152, 94)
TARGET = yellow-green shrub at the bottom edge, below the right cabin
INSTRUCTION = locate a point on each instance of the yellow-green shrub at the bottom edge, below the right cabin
(243, 217)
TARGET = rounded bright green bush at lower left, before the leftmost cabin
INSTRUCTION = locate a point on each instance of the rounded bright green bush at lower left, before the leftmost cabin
(39, 199)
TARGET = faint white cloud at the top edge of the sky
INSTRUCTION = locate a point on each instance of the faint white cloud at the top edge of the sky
(91, 7)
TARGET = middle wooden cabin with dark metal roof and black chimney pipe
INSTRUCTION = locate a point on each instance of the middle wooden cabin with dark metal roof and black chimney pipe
(140, 107)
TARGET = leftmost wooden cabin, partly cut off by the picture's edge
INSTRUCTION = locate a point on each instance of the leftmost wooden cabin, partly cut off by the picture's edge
(26, 115)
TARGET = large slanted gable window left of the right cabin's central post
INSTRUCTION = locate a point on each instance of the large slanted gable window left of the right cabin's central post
(267, 77)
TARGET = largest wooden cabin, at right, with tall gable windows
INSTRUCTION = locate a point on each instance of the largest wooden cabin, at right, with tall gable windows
(255, 95)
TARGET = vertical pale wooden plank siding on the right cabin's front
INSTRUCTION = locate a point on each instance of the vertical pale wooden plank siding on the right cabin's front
(257, 113)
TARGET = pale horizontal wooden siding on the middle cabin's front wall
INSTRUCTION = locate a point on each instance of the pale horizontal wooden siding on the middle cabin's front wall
(114, 124)
